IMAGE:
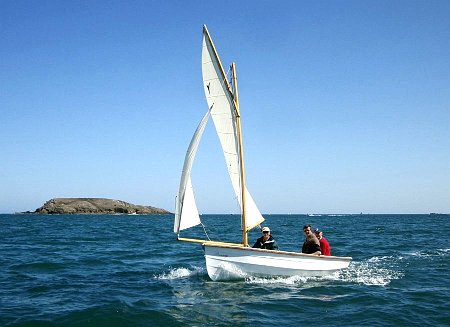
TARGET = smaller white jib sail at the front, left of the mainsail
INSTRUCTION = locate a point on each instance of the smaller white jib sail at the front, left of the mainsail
(186, 212)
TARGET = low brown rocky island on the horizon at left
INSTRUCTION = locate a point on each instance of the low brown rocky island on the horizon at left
(94, 206)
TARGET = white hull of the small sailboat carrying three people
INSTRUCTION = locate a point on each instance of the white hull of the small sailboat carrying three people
(224, 262)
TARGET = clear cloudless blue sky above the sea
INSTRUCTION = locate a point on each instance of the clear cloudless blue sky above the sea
(345, 104)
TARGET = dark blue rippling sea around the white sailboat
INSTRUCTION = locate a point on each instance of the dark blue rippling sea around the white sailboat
(129, 270)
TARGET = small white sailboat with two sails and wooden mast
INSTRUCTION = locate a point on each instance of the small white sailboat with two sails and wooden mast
(226, 261)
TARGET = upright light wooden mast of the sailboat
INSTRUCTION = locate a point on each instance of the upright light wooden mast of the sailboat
(241, 155)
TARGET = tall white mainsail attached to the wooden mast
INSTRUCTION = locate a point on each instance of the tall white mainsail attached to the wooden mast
(223, 112)
